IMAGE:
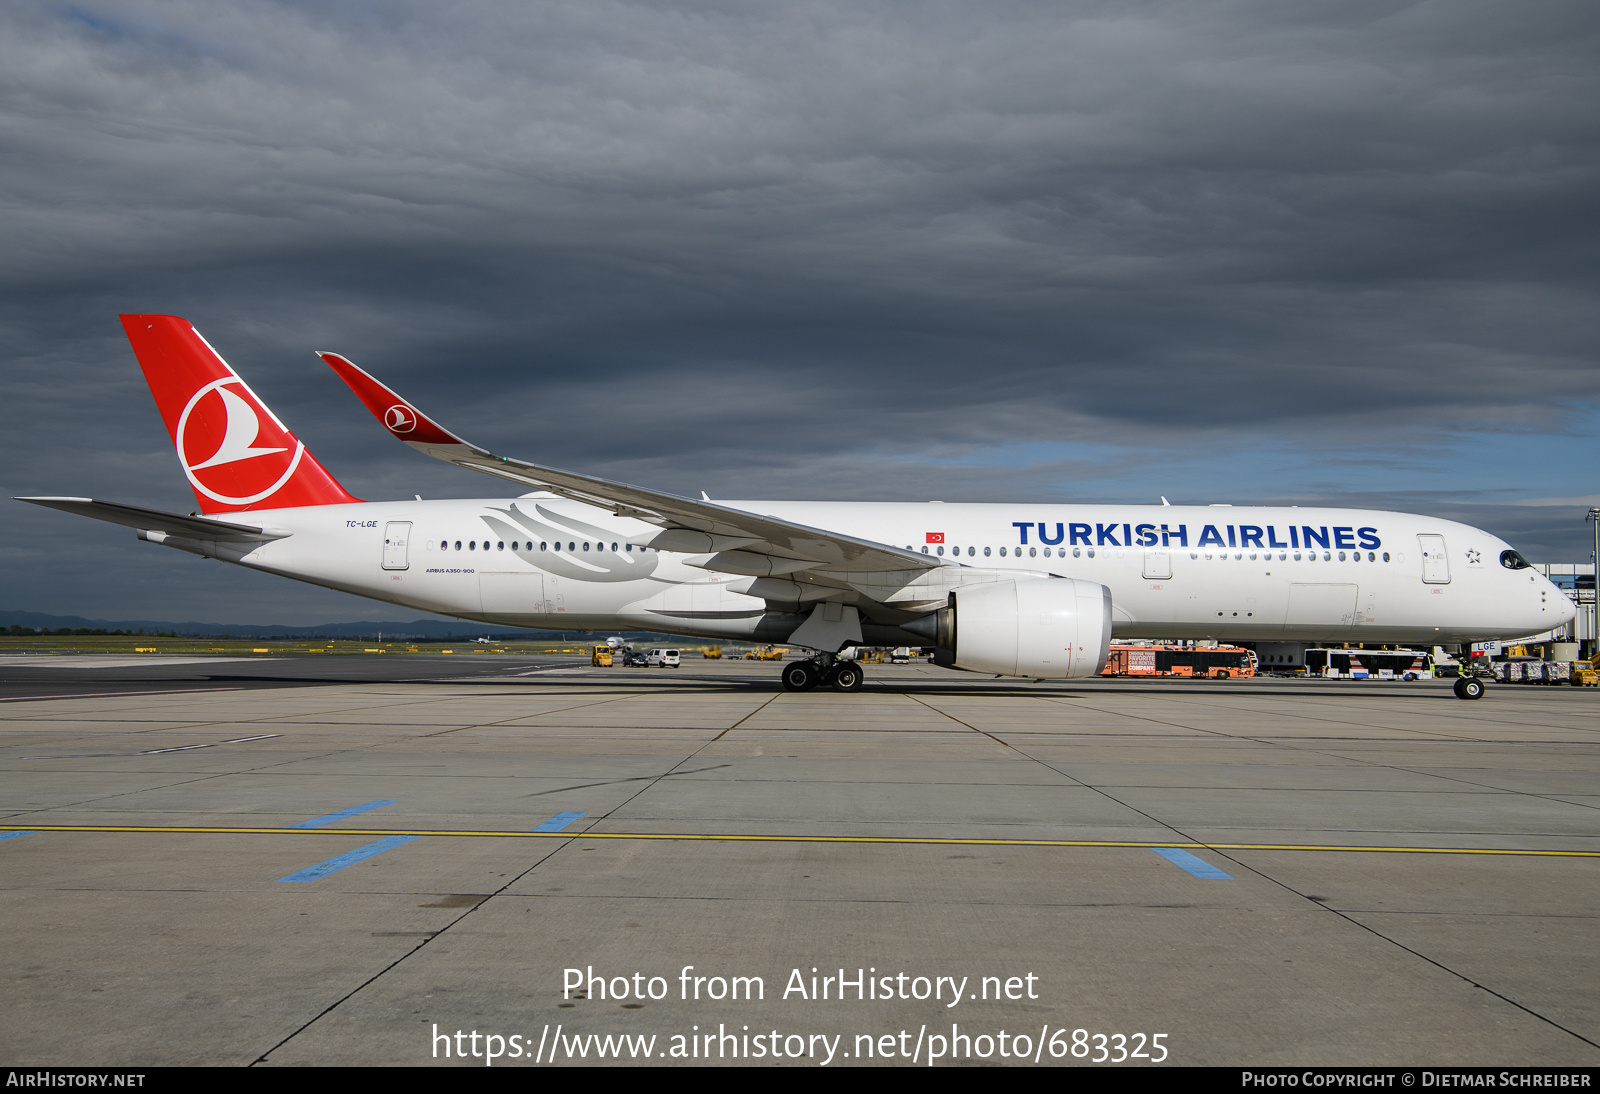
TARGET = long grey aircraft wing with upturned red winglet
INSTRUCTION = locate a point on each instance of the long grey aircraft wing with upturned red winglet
(738, 543)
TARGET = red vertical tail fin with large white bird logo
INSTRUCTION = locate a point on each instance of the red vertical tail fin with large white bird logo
(236, 452)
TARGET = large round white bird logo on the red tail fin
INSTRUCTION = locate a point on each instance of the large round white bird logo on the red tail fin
(244, 466)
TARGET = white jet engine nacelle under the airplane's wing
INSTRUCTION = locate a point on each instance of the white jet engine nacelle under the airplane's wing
(1046, 628)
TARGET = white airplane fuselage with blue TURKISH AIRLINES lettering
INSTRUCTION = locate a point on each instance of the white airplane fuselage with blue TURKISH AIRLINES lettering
(1175, 572)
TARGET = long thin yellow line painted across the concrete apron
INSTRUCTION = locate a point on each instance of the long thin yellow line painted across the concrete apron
(714, 837)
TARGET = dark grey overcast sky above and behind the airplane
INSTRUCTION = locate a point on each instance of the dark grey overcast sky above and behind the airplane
(1337, 254)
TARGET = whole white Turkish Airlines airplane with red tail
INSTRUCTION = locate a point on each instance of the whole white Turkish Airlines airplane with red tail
(1009, 589)
